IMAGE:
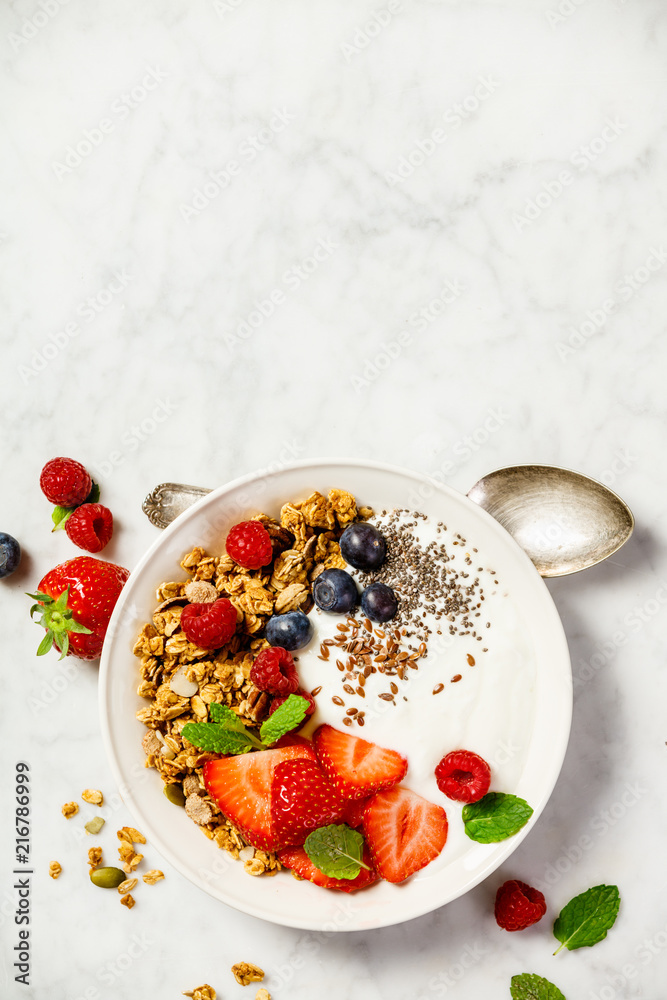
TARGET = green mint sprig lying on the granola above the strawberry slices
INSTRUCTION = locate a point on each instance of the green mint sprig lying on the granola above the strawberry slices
(227, 734)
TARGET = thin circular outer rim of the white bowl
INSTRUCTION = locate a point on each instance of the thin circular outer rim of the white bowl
(558, 748)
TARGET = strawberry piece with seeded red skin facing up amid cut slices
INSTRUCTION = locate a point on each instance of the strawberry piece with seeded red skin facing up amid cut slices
(302, 800)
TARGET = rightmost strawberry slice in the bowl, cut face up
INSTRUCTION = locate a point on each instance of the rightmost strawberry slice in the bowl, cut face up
(404, 832)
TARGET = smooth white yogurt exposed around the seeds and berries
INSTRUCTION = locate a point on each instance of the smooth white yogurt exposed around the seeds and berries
(490, 711)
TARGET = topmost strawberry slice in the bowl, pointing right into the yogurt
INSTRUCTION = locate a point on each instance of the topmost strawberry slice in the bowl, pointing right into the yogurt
(356, 767)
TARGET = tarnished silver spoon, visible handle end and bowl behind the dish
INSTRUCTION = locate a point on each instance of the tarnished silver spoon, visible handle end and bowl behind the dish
(564, 521)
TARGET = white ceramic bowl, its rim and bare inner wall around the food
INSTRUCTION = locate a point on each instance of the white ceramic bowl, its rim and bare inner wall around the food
(282, 899)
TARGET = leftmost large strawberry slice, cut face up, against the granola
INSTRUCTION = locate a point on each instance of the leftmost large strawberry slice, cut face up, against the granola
(241, 786)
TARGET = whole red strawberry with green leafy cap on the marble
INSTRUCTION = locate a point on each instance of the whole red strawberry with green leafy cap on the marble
(76, 600)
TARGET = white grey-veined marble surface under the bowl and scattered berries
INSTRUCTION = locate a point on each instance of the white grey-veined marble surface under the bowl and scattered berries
(239, 233)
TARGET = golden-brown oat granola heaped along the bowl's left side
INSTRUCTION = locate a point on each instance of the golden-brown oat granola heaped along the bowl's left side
(180, 681)
